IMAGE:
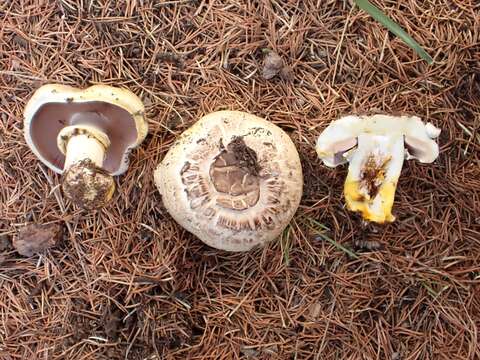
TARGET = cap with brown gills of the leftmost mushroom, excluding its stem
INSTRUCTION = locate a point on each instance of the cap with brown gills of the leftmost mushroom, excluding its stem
(117, 112)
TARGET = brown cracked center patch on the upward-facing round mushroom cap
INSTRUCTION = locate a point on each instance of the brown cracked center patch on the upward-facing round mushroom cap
(234, 174)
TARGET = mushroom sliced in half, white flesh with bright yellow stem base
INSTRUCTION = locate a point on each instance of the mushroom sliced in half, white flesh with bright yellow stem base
(375, 146)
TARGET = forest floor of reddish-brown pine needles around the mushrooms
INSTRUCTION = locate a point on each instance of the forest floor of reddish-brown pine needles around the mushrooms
(128, 282)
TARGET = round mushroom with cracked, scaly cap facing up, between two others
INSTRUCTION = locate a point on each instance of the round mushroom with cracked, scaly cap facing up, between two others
(233, 179)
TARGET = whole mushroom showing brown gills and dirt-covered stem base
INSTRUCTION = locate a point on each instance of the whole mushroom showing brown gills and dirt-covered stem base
(86, 135)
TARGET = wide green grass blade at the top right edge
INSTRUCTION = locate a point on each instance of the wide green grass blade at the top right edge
(383, 19)
